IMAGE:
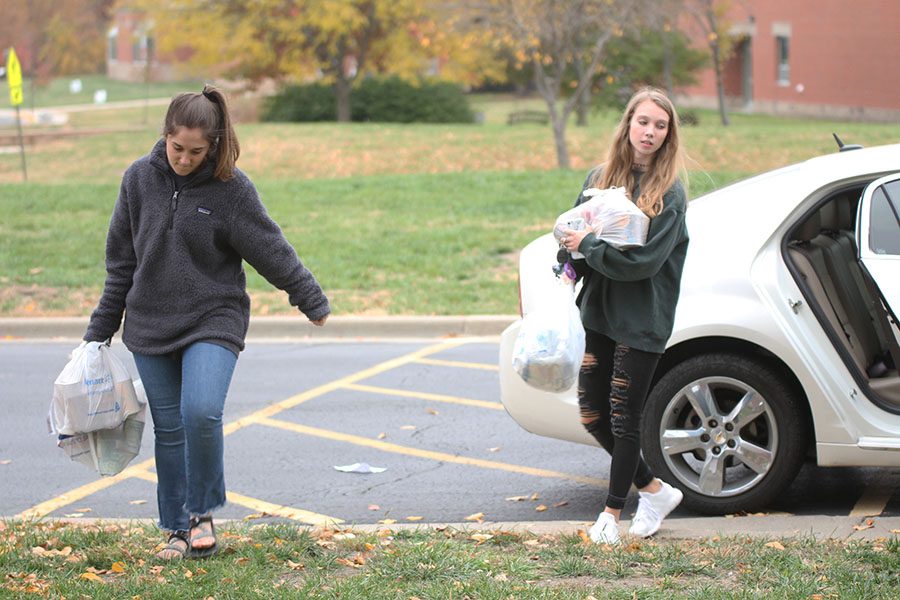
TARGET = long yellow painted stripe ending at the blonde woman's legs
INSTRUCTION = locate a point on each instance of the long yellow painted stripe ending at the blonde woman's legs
(429, 454)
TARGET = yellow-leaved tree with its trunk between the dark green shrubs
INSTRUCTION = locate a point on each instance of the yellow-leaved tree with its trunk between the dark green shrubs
(331, 40)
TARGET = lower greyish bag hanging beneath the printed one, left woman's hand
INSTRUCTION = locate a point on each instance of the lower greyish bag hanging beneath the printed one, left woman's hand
(108, 451)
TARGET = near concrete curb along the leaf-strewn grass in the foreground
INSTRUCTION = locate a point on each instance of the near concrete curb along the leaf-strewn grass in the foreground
(689, 528)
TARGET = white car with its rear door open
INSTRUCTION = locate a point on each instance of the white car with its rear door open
(785, 337)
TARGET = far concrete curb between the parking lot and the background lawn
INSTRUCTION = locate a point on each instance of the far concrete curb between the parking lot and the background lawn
(291, 327)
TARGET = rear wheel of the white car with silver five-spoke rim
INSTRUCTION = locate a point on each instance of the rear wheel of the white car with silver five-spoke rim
(725, 429)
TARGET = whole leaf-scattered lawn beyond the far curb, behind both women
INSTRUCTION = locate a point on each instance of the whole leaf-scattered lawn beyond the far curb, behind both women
(393, 219)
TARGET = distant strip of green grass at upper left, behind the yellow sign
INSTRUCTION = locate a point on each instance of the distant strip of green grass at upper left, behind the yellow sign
(56, 92)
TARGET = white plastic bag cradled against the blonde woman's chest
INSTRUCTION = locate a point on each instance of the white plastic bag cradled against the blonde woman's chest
(610, 215)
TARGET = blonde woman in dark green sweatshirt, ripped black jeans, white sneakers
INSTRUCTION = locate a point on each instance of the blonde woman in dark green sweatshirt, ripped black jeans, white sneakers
(627, 304)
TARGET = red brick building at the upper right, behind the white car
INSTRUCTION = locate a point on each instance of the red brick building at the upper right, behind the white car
(828, 58)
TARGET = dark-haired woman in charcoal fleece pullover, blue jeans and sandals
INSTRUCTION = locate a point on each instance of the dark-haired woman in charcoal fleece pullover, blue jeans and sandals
(184, 220)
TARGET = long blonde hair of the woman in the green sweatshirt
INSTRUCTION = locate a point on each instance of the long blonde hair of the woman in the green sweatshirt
(667, 162)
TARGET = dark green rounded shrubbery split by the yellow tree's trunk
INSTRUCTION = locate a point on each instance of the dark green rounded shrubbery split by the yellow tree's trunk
(385, 100)
